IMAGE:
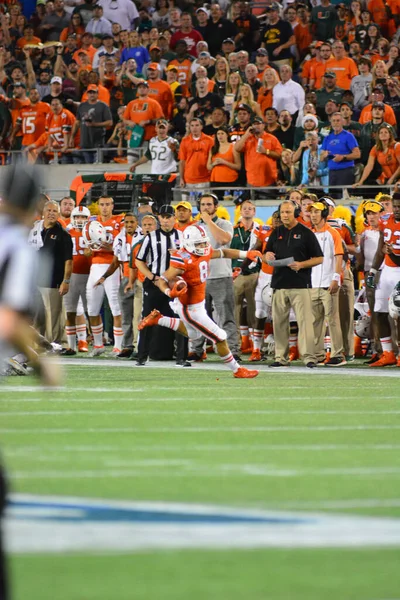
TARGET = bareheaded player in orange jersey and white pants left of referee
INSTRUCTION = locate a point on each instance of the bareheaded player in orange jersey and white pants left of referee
(101, 260)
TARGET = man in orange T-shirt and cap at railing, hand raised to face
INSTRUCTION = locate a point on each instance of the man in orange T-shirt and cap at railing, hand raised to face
(261, 152)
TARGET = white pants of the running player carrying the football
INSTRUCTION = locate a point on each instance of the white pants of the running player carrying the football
(197, 321)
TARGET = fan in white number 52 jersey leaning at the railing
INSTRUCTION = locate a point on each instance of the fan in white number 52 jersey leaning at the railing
(162, 152)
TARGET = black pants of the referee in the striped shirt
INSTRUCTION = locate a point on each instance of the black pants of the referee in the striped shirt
(158, 342)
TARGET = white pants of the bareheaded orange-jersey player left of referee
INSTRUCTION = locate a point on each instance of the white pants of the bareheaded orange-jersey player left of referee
(110, 287)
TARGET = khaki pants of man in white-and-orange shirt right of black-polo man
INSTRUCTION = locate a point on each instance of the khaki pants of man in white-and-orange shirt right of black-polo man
(325, 308)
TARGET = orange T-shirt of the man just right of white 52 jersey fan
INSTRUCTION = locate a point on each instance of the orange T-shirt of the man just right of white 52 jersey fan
(195, 154)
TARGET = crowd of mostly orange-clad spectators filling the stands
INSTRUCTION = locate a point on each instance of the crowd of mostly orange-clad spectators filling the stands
(302, 93)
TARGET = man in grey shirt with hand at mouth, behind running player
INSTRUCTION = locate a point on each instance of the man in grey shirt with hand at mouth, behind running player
(219, 286)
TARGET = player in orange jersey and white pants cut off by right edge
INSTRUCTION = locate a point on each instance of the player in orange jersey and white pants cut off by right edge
(388, 252)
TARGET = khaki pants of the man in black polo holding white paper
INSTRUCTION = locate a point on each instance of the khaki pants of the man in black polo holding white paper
(300, 300)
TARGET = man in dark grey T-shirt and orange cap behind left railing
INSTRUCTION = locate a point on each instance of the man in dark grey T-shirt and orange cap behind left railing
(93, 118)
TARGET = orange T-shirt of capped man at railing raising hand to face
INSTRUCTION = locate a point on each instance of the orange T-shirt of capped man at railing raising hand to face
(261, 169)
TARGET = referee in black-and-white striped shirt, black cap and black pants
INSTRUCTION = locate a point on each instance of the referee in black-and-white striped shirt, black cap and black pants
(152, 260)
